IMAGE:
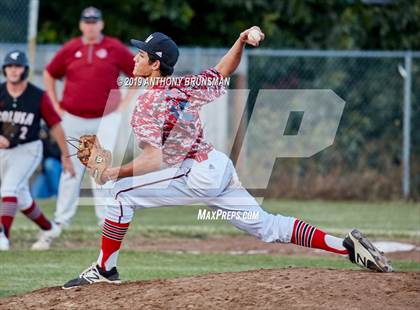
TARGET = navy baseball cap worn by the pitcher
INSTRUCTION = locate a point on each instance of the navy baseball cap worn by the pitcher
(161, 46)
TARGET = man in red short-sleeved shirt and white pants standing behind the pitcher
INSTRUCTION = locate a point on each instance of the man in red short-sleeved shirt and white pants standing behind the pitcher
(90, 65)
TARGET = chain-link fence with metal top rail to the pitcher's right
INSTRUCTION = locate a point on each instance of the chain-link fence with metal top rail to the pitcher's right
(366, 160)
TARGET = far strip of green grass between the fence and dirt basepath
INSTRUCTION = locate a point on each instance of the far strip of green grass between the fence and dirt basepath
(396, 220)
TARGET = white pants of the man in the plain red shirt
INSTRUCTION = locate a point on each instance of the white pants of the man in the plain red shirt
(69, 189)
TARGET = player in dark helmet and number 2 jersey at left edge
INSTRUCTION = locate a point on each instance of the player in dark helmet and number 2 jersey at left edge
(22, 107)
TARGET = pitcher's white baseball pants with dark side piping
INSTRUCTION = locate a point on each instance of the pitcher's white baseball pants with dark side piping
(213, 182)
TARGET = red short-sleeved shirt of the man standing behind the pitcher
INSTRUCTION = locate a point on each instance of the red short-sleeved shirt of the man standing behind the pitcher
(91, 71)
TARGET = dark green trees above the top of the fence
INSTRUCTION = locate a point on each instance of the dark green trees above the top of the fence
(308, 24)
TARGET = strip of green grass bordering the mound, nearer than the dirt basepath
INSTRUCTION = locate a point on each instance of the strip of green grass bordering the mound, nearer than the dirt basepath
(22, 271)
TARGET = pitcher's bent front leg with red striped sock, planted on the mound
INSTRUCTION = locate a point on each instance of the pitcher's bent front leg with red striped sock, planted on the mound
(165, 187)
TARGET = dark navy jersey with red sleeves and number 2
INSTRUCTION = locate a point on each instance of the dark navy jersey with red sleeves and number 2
(20, 117)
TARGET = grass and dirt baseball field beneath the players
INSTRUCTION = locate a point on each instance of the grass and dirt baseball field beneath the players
(172, 260)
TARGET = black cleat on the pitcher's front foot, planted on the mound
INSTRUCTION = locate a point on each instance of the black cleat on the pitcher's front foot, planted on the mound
(94, 274)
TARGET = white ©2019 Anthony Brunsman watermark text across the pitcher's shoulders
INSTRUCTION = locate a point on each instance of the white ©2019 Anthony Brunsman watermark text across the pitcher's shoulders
(186, 81)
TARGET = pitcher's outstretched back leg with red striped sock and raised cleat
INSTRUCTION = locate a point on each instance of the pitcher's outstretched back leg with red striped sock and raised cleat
(277, 228)
